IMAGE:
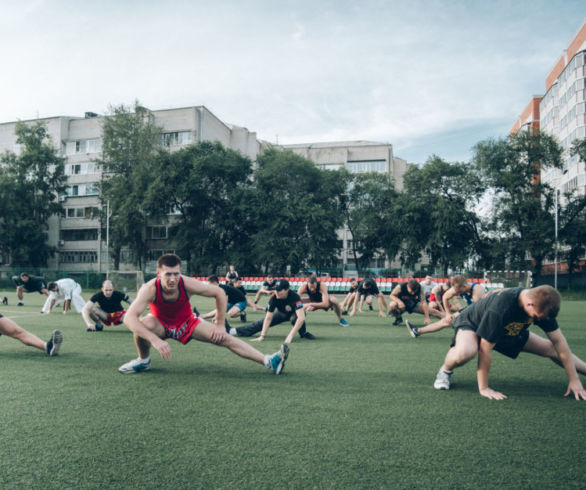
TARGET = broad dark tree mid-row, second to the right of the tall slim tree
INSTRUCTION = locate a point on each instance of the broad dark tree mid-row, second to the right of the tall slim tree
(295, 210)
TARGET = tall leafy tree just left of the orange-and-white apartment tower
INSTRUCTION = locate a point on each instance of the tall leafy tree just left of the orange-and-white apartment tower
(522, 204)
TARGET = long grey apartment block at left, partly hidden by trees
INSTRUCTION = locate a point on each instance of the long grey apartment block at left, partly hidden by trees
(77, 234)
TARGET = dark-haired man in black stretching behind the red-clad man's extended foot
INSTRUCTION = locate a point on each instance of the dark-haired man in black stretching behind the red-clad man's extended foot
(284, 305)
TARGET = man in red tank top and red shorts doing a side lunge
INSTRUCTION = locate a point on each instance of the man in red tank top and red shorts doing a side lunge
(170, 317)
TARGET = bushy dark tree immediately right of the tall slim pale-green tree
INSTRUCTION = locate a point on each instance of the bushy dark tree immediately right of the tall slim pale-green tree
(209, 186)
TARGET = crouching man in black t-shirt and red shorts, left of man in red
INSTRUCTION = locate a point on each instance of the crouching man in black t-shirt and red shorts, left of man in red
(105, 308)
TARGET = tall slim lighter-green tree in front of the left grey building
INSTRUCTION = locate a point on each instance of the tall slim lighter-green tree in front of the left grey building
(130, 145)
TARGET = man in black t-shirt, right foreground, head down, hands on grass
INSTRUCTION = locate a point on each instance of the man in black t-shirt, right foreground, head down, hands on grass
(500, 322)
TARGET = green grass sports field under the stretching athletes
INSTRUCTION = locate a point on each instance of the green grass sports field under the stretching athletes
(353, 409)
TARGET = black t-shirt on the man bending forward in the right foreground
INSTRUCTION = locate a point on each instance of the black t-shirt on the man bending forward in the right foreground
(498, 315)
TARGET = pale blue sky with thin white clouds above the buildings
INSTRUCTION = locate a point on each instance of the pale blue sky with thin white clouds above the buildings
(430, 77)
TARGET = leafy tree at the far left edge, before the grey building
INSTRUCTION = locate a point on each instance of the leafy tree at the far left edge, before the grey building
(30, 184)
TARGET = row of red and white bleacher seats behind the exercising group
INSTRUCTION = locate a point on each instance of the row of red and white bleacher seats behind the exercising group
(335, 284)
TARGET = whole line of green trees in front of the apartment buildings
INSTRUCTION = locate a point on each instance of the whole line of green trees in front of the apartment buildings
(283, 211)
